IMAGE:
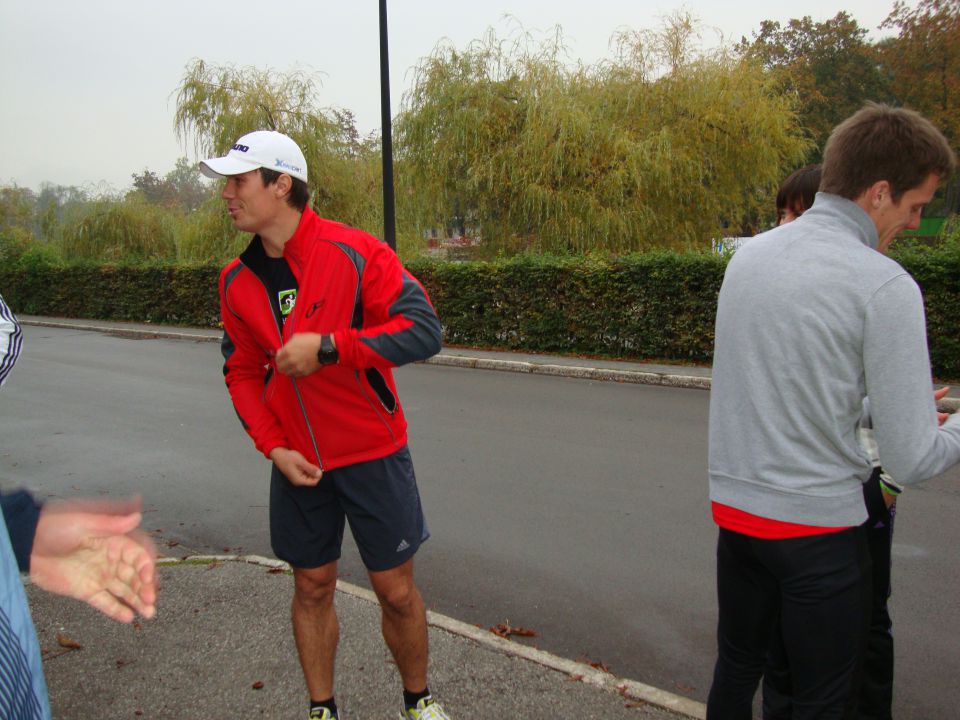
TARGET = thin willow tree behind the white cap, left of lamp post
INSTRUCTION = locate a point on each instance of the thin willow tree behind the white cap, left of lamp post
(216, 104)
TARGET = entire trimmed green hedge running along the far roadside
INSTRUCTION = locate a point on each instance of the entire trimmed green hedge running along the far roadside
(655, 305)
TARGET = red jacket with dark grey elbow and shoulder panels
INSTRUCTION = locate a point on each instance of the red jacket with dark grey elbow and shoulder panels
(351, 285)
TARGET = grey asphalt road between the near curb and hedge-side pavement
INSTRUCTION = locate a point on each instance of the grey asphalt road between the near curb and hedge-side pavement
(574, 508)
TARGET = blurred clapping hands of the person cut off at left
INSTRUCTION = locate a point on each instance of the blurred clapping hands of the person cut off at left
(90, 550)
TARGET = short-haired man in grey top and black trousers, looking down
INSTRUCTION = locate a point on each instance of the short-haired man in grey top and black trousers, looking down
(813, 318)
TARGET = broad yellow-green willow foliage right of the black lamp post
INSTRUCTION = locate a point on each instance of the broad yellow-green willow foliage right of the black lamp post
(660, 146)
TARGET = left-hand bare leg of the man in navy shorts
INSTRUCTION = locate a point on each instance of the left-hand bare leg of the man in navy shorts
(315, 626)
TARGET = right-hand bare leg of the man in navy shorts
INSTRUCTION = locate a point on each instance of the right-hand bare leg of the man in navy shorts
(404, 623)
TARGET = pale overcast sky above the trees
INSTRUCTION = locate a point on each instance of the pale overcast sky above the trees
(88, 86)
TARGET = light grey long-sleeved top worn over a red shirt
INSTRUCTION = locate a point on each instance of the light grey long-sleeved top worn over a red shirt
(811, 319)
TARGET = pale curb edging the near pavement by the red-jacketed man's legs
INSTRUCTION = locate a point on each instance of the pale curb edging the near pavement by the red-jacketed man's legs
(629, 689)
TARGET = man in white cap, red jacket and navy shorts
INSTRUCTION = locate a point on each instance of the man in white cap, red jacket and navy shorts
(315, 314)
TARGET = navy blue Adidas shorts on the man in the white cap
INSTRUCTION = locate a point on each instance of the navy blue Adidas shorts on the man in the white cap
(378, 497)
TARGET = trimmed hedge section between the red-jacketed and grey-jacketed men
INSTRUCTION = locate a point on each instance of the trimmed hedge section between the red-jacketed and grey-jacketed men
(651, 305)
